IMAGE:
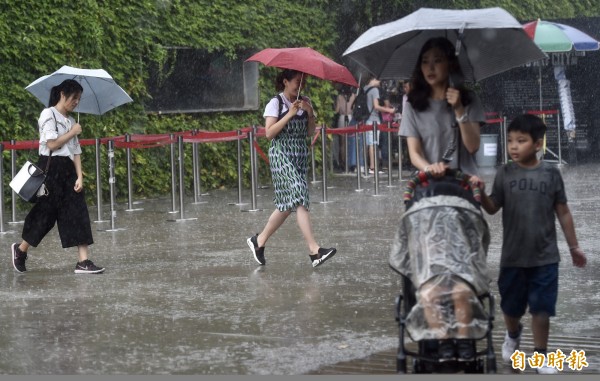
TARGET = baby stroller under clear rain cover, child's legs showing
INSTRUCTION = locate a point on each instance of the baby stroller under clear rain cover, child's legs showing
(440, 251)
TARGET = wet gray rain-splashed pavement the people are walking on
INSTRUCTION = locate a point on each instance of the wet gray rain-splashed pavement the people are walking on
(186, 297)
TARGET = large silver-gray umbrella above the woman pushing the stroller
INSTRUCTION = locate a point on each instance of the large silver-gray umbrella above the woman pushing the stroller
(488, 42)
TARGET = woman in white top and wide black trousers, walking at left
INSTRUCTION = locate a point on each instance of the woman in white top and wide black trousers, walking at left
(64, 204)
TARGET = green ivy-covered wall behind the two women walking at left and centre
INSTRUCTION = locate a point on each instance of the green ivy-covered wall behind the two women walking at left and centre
(124, 37)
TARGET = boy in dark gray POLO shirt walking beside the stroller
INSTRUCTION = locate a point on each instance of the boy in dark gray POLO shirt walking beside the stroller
(530, 193)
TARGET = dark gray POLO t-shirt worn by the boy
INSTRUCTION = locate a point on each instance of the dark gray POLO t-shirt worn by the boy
(528, 198)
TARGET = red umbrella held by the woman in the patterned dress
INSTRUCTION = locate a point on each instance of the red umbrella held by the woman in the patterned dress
(305, 60)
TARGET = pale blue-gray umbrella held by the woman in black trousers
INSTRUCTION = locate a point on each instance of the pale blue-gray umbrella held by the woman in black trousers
(100, 91)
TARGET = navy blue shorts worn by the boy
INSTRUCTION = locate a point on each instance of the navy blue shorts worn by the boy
(533, 286)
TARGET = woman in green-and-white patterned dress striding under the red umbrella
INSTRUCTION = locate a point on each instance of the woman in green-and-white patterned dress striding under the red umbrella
(289, 120)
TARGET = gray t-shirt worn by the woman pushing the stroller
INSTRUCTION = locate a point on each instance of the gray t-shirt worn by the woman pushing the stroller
(434, 128)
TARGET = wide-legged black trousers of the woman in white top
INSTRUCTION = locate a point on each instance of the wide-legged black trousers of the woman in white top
(63, 206)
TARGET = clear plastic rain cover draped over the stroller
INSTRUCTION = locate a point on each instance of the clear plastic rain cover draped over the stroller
(441, 247)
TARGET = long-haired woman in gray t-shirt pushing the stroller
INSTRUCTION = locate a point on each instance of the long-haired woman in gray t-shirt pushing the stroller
(434, 106)
